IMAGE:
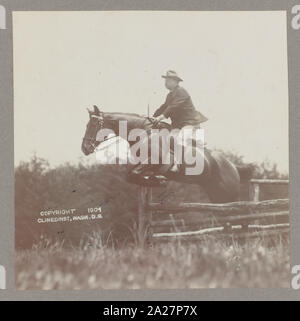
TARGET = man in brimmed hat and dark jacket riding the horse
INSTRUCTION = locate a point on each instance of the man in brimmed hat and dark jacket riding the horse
(182, 112)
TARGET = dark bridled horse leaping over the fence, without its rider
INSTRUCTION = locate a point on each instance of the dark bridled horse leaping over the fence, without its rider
(220, 177)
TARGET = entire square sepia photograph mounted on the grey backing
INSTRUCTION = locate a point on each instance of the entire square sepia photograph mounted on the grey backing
(151, 150)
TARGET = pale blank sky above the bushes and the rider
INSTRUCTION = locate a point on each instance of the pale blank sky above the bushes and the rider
(234, 66)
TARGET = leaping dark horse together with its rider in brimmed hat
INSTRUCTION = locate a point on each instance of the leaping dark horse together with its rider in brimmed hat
(220, 177)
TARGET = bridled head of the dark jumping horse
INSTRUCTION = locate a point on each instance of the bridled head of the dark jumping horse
(96, 121)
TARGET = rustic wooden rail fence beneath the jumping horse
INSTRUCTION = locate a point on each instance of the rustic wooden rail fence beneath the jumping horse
(238, 220)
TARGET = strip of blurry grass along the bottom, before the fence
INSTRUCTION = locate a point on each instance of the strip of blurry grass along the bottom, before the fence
(173, 265)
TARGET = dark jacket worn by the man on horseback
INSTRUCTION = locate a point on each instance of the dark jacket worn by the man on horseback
(180, 108)
